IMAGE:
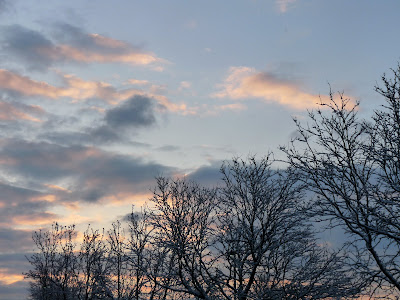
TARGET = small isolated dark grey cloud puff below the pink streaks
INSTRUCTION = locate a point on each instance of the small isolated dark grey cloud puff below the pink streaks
(137, 111)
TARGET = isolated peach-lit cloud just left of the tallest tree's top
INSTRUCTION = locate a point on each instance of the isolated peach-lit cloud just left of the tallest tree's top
(244, 83)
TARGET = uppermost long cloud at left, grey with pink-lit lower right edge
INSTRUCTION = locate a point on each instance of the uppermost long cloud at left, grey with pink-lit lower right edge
(72, 44)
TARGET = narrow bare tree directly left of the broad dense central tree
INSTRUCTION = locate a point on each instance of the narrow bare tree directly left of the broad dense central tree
(182, 220)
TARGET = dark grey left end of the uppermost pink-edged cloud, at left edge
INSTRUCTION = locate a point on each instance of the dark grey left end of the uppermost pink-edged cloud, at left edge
(27, 45)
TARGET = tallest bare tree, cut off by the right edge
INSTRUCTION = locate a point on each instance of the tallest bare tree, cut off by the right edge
(353, 168)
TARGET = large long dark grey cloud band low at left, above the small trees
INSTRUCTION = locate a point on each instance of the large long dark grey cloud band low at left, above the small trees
(93, 173)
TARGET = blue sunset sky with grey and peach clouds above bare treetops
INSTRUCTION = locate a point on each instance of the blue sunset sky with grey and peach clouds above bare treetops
(97, 98)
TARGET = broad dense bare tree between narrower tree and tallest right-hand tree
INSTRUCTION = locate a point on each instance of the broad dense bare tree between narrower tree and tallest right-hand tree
(269, 250)
